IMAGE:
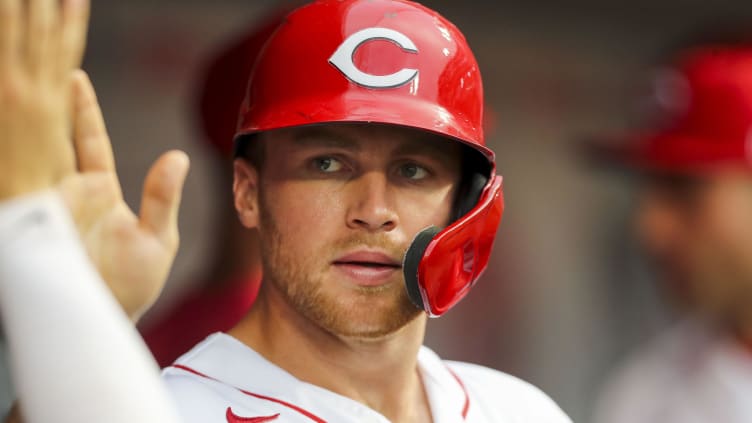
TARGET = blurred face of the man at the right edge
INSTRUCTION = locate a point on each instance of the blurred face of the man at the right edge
(698, 229)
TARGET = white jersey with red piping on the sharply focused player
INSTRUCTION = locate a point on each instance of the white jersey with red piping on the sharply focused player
(223, 380)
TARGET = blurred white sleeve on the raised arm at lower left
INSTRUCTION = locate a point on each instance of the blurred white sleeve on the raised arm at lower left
(75, 356)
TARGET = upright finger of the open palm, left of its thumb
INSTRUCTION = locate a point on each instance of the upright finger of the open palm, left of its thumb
(93, 147)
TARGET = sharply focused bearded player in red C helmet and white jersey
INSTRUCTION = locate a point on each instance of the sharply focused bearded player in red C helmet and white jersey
(361, 163)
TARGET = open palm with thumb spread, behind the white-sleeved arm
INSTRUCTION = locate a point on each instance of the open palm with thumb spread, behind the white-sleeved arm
(132, 253)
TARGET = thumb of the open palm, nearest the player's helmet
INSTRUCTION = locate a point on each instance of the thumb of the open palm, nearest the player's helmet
(161, 197)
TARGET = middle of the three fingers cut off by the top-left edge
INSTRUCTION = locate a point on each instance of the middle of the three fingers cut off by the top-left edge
(40, 31)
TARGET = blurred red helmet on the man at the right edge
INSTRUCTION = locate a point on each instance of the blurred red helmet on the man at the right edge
(706, 100)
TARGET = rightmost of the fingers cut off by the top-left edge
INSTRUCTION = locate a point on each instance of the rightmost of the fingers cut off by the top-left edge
(75, 22)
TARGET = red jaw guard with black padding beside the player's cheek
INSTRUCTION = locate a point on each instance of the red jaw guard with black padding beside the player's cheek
(441, 266)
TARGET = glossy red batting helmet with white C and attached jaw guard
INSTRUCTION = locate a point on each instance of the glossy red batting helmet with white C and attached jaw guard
(388, 62)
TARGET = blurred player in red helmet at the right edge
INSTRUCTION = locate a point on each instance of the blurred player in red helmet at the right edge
(694, 219)
